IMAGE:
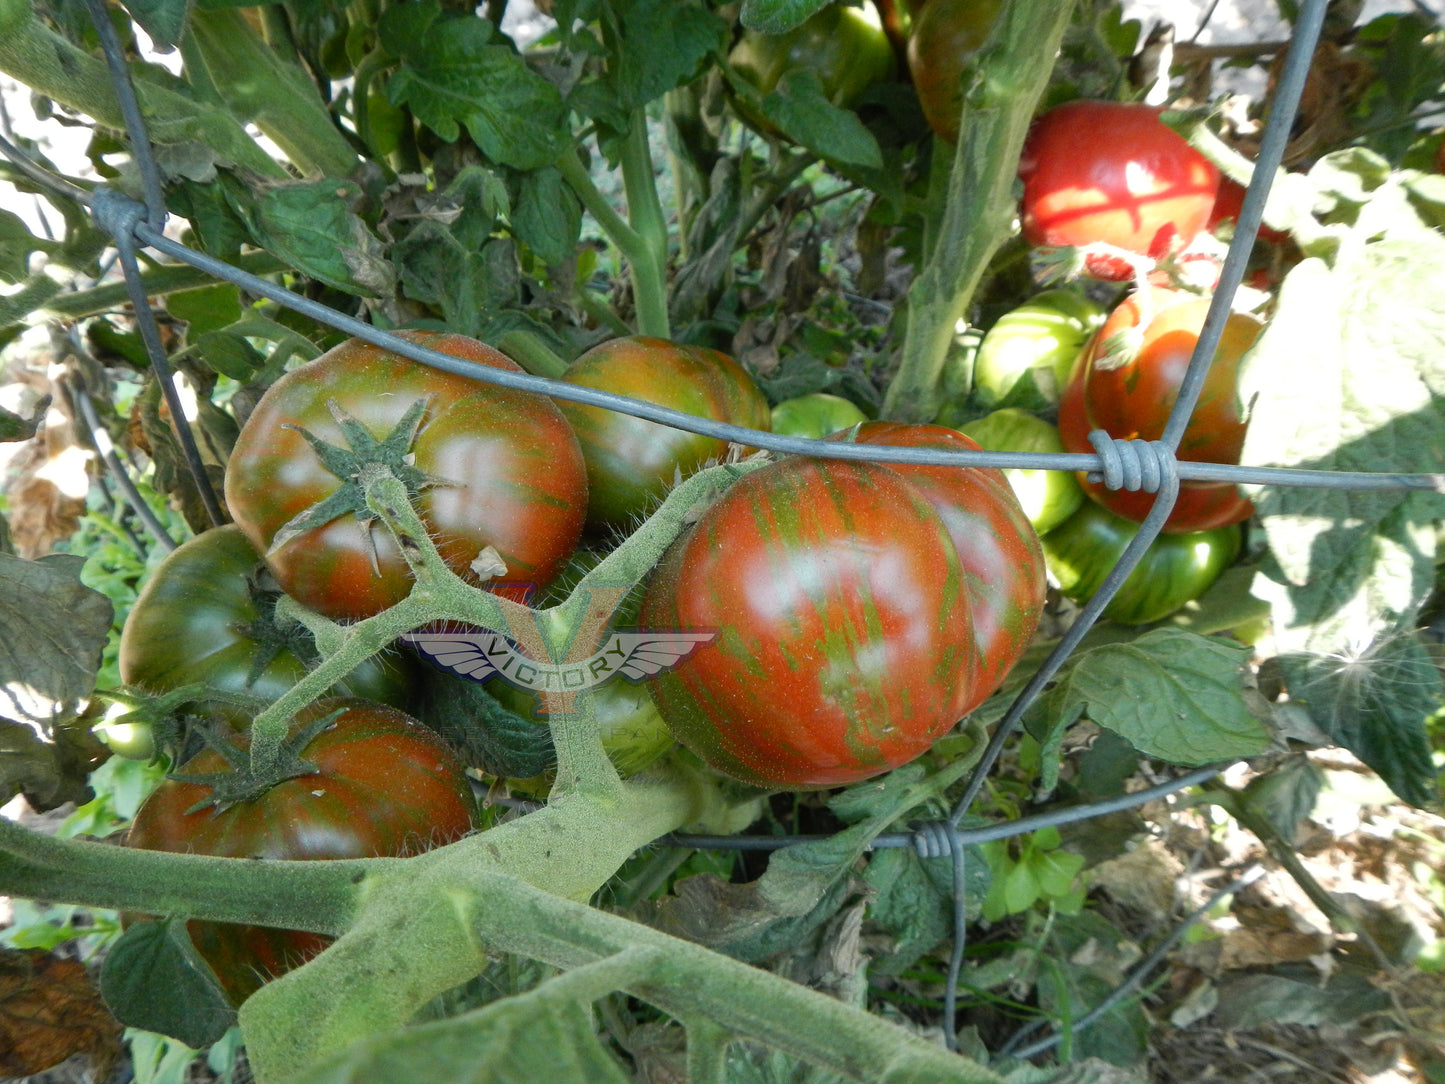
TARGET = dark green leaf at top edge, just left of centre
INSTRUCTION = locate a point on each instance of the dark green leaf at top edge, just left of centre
(665, 44)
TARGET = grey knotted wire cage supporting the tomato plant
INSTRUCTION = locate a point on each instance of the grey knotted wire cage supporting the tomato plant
(1138, 466)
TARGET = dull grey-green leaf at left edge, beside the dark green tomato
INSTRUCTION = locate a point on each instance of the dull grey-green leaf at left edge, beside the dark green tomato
(53, 629)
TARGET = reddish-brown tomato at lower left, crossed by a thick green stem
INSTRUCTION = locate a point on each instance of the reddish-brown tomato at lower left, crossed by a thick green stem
(387, 787)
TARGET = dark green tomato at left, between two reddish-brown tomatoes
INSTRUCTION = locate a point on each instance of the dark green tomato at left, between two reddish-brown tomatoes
(204, 616)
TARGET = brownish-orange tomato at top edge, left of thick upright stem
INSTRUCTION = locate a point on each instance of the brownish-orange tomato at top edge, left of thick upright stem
(946, 37)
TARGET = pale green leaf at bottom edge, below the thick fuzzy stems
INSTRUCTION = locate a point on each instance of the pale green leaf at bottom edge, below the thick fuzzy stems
(538, 1036)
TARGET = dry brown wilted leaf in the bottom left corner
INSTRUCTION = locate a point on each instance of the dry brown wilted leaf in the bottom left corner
(50, 1011)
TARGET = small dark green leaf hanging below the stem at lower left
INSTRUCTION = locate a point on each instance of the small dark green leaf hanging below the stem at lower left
(155, 981)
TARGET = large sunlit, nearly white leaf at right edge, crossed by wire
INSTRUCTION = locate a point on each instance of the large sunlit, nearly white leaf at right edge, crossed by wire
(1350, 377)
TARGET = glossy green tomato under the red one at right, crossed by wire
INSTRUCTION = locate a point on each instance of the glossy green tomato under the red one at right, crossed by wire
(1174, 572)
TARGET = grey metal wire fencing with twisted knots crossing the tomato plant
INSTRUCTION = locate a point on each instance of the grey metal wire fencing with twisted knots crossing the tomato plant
(1122, 465)
